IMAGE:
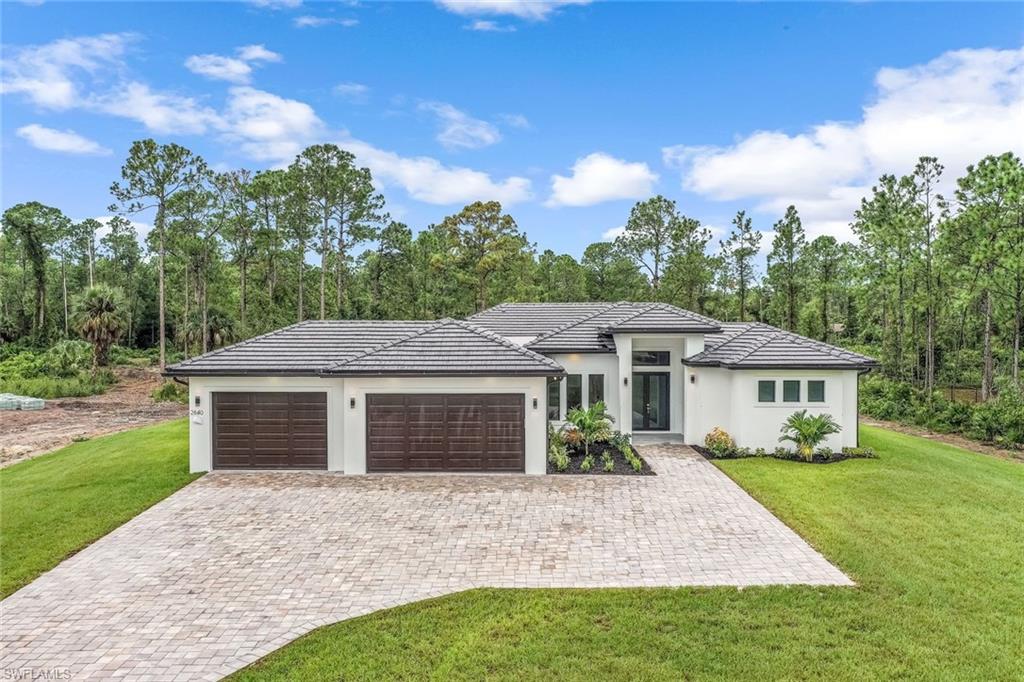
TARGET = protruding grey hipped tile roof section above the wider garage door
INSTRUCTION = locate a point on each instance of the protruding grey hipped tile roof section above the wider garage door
(446, 349)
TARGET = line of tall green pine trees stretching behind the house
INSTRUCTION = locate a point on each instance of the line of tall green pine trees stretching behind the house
(933, 285)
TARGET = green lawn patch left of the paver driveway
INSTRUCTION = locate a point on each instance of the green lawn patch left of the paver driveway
(55, 505)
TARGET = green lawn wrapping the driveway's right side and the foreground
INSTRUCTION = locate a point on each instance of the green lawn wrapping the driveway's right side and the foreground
(933, 535)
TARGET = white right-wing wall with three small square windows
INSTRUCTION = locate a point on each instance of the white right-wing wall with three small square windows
(729, 399)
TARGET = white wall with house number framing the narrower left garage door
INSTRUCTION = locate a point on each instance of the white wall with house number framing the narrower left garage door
(201, 417)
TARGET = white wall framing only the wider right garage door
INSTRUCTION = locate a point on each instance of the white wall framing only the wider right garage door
(355, 419)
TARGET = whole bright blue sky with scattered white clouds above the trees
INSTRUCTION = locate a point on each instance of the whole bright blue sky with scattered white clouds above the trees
(569, 113)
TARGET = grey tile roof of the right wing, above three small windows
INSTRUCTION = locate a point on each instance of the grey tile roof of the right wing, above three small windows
(759, 347)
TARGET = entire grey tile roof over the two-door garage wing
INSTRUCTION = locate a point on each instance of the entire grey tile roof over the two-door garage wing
(339, 348)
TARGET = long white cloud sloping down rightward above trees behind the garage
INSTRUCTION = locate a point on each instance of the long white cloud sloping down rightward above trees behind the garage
(429, 181)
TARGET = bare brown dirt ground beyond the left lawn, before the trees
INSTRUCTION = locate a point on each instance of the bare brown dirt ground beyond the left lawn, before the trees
(125, 406)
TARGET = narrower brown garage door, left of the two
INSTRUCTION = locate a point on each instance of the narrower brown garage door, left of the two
(270, 431)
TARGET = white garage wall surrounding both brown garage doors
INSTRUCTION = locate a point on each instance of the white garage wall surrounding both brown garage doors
(347, 427)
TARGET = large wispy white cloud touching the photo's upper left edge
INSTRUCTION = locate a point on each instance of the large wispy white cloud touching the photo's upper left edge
(47, 74)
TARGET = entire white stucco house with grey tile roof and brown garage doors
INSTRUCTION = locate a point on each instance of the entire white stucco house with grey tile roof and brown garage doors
(478, 396)
